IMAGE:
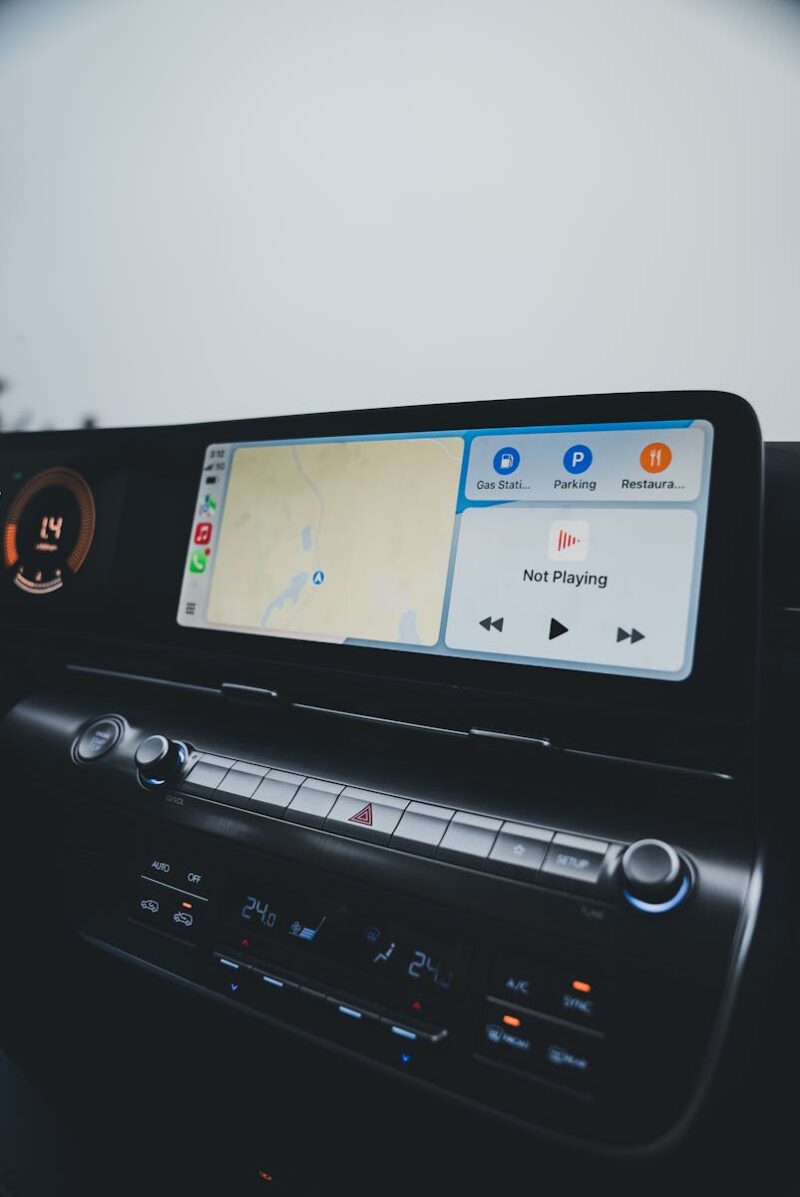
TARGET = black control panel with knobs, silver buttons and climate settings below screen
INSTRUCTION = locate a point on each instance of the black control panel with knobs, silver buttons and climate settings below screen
(439, 927)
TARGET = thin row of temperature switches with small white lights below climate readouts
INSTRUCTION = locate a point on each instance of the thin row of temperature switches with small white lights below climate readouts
(246, 981)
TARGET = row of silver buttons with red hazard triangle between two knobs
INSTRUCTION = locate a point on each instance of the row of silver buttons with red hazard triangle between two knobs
(511, 849)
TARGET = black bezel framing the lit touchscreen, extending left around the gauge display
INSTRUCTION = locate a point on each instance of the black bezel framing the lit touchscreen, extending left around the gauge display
(169, 461)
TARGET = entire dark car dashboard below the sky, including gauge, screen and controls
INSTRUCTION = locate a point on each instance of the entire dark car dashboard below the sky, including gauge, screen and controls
(396, 800)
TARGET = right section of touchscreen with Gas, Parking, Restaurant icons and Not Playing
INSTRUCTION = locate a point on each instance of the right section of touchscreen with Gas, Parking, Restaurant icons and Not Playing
(569, 560)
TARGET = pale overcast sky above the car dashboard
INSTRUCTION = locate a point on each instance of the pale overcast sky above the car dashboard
(215, 210)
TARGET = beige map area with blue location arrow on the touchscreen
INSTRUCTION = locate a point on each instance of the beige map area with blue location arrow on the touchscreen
(374, 517)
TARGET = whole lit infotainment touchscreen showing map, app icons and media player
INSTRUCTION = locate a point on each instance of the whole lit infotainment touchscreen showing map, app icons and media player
(572, 548)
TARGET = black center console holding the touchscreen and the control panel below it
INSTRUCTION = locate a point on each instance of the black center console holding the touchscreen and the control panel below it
(428, 736)
